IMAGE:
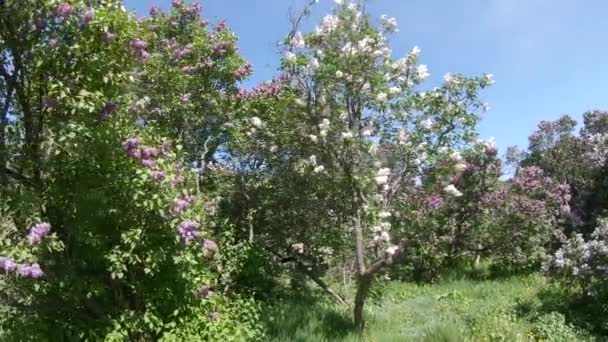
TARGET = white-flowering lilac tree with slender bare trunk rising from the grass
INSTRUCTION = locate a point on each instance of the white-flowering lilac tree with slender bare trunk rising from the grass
(354, 136)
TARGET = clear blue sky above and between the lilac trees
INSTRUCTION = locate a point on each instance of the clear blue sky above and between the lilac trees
(549, 57)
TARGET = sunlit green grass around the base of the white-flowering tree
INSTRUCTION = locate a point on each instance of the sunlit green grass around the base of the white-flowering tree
(464, 309)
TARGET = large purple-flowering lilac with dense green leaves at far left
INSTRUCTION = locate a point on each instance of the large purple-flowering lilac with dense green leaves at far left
(106, 231)
